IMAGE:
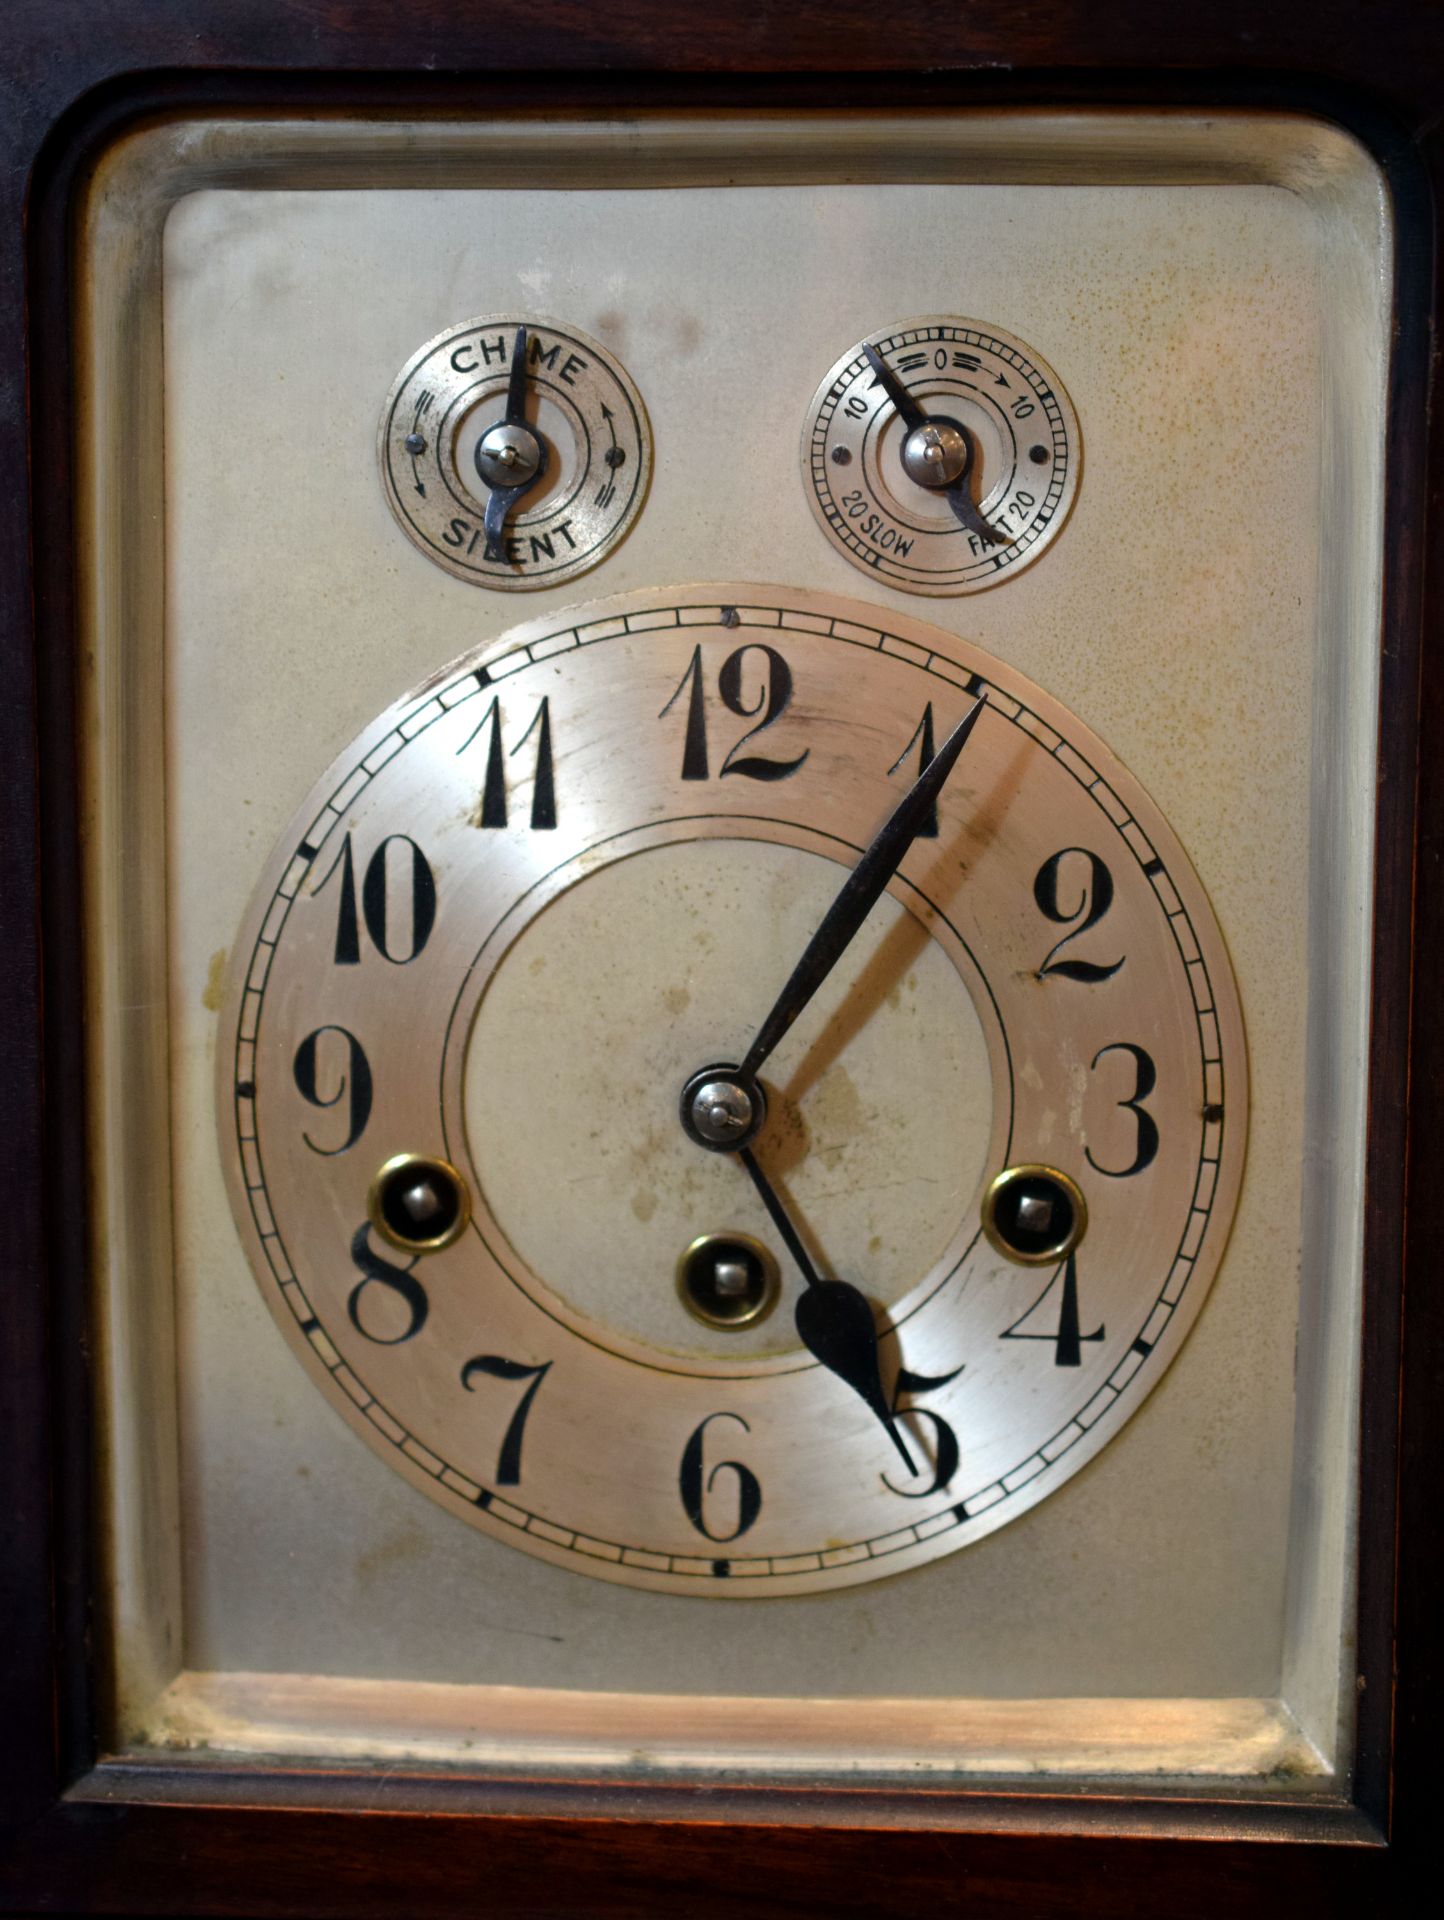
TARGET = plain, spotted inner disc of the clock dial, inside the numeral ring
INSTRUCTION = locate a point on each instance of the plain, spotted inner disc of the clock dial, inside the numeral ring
(880, 1099)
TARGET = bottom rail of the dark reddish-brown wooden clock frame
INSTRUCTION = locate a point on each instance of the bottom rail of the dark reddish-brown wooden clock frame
(320, 1846)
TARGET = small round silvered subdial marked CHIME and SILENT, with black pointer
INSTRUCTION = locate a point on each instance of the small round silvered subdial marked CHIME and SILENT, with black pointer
(516, 452)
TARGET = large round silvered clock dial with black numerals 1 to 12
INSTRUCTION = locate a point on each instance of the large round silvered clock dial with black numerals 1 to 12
(571, 871)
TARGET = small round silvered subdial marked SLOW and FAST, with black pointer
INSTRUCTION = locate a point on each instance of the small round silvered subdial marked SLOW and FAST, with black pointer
(942, 456)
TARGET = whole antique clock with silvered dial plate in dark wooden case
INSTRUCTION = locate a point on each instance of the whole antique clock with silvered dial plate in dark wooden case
(736, 782)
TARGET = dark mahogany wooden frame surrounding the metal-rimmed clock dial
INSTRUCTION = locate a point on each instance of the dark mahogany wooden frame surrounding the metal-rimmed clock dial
(99, 1836)
